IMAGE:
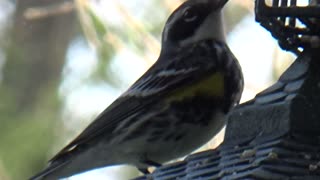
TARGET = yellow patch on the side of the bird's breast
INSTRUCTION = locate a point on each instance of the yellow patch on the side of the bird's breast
(209, 86)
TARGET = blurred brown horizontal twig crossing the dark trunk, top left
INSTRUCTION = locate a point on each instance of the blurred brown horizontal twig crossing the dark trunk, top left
(34, 13)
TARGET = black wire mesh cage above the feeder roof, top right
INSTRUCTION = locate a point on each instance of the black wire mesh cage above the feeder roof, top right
(295, 27)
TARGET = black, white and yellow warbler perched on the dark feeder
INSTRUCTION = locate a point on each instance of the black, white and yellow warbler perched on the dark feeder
(179, 104)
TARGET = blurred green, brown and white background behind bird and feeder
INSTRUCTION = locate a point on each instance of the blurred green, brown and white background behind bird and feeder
(62, 62)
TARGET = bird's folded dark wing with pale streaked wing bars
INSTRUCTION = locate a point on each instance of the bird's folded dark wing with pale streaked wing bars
(147, 90)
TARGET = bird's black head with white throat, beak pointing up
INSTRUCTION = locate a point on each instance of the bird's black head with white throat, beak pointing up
(193, 21)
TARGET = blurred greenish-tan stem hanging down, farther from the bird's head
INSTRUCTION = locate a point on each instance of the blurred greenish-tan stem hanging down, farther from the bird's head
(100, 38)
